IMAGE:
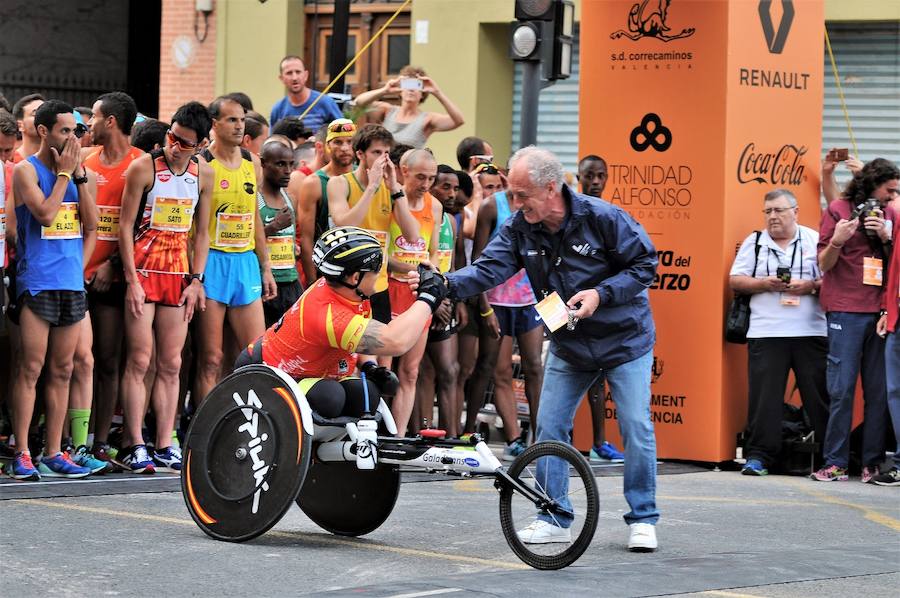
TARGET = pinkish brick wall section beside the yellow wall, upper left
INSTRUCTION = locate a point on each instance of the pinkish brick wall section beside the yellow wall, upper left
(197, 81)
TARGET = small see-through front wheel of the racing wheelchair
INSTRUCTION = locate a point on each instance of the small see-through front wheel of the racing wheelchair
(548, 505)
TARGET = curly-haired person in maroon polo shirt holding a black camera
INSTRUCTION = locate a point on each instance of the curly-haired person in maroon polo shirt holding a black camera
(854, 248)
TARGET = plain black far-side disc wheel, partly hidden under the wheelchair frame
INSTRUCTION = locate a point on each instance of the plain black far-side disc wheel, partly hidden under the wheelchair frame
(348, 501)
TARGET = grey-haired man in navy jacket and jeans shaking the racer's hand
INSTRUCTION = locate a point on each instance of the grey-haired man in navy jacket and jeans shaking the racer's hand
(595, 259)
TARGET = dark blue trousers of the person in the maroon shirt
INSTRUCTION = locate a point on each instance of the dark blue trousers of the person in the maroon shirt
(853, 347)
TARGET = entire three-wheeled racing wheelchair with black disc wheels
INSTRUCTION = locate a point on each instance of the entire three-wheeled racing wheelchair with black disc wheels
(255, 446)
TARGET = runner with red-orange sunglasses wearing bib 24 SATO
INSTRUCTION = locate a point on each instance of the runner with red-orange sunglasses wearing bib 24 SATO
(167, 195)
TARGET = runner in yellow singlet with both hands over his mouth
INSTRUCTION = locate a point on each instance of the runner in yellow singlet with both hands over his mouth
(369, 197)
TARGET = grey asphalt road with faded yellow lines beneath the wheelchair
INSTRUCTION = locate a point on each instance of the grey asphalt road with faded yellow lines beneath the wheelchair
(721, 534)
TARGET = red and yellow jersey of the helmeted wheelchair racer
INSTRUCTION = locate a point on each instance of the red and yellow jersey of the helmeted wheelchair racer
(318, 336)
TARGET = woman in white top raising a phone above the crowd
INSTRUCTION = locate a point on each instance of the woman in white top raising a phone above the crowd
(407, 122)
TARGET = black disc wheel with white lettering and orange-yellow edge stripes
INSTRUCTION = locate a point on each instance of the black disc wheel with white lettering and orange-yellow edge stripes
(246, 454)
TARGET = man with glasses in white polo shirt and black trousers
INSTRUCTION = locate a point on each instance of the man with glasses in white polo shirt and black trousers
(787, 332)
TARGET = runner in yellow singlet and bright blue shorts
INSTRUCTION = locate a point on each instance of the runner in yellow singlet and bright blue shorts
(238, 276)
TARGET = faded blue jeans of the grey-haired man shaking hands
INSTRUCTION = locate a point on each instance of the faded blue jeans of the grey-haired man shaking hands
(564, 387)
